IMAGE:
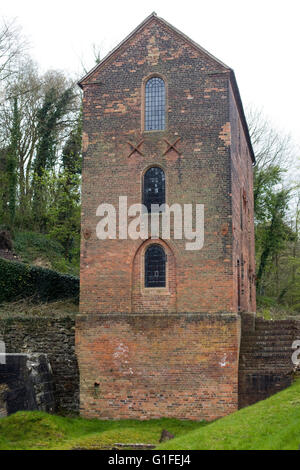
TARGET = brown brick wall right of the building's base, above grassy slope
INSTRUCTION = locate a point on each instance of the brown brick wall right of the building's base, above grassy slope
(265, 365)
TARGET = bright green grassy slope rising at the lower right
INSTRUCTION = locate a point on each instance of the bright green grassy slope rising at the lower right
(272, 424)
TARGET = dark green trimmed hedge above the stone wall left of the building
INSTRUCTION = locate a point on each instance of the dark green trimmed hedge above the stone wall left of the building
(18, 280)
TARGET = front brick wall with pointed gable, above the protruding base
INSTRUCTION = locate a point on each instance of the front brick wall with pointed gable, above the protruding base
(198, 113)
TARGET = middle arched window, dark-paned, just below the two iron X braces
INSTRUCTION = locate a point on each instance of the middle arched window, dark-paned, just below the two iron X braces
(154, 187)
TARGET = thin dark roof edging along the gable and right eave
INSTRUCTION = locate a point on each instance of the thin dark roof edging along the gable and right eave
(154, 17)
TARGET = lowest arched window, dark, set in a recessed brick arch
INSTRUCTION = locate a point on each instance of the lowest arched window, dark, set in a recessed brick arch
(155, 266)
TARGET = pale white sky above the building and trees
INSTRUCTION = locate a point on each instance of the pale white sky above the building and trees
(259, 39)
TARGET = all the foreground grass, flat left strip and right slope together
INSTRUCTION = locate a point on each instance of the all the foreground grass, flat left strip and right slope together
(272, 424)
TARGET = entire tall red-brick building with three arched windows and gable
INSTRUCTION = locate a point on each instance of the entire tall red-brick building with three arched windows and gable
(159, 327)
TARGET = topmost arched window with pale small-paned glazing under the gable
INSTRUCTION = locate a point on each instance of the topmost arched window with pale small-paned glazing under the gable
(155, 98)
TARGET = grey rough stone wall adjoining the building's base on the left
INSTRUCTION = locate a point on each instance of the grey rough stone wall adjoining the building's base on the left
(54, 337)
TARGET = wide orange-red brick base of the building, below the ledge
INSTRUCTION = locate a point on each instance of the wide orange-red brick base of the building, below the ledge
(143, 366)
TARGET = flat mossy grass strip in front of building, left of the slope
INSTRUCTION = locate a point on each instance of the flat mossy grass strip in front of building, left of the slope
(36, 430)
